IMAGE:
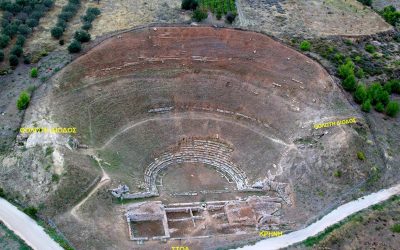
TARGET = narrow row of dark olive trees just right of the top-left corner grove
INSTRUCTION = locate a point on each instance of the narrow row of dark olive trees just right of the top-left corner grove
(67, 13)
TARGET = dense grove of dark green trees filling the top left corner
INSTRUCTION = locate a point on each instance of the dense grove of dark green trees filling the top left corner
(19, 18)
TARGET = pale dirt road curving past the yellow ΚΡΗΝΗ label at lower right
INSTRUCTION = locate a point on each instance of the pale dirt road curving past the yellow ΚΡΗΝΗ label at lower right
(330, 219)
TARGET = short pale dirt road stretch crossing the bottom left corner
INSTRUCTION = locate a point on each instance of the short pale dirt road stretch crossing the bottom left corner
(25, 227)
